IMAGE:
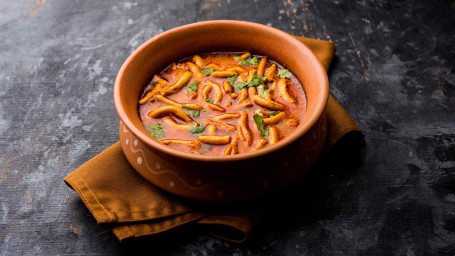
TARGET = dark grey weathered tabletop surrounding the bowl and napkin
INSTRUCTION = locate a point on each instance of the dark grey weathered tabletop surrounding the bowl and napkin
(394, 72)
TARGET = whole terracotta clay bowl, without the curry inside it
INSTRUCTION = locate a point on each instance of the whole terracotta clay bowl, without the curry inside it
(221, 178)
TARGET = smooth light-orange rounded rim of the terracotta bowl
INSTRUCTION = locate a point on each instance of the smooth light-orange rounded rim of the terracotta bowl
(295, 135)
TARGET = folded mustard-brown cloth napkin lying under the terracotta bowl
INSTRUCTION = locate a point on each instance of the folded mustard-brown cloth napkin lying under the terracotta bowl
(118, 196)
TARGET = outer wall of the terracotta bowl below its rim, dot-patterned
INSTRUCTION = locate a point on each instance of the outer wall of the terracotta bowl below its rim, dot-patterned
(225, 181)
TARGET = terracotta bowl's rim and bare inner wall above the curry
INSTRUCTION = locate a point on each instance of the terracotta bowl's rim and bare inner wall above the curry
(215, 36)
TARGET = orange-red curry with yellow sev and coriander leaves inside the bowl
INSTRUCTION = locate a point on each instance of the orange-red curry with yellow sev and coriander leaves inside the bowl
(222, 103)
